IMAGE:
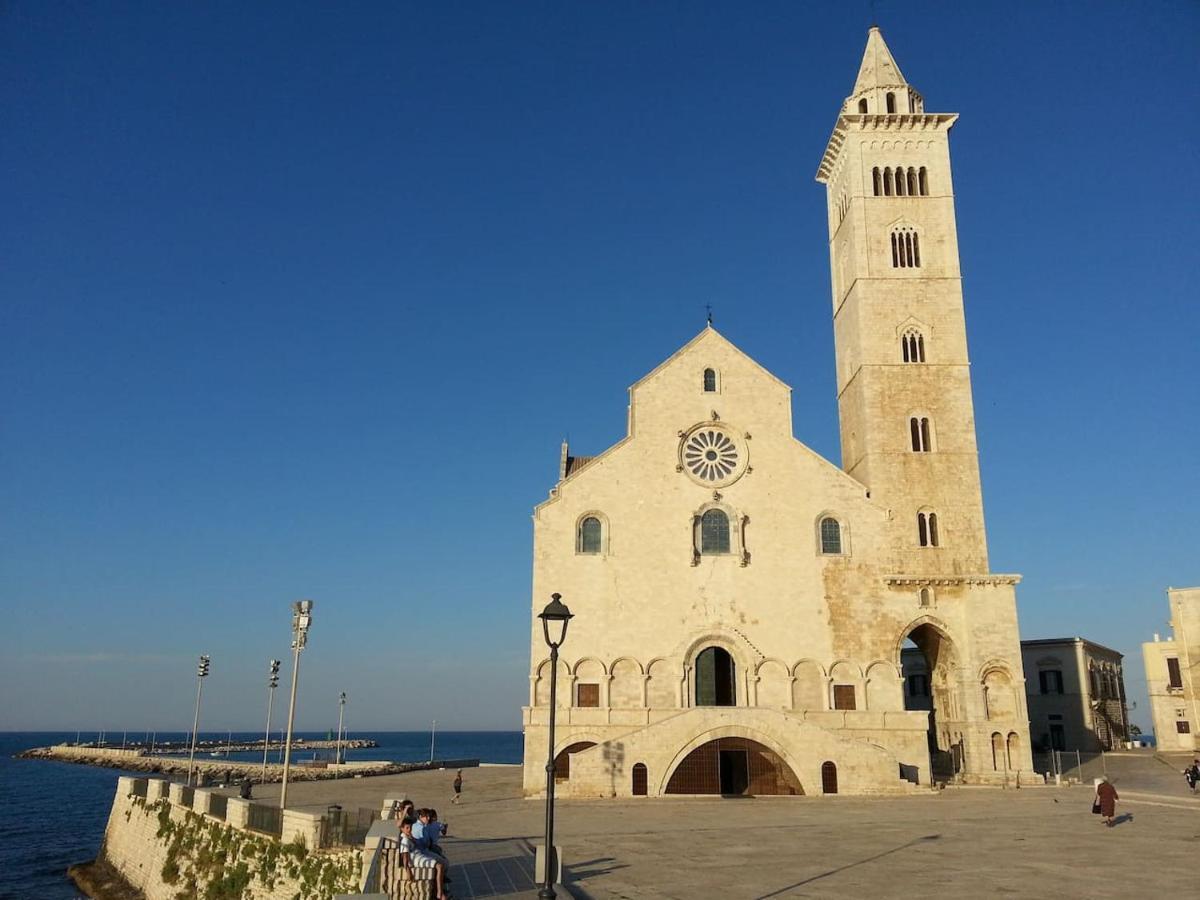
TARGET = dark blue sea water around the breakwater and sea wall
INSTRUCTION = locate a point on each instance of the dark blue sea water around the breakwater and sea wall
(56, 812)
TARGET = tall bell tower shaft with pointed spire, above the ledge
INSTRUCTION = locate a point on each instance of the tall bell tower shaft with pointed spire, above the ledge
(904, 382)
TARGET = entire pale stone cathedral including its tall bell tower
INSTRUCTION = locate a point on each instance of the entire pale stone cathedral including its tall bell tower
(749, 617)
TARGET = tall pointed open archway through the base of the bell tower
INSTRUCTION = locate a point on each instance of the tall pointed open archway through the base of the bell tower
(932, 677)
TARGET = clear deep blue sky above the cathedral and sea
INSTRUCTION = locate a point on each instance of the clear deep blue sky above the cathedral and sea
(299, 301)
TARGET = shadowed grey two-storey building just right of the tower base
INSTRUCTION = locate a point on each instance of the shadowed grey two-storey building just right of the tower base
(1076, 695)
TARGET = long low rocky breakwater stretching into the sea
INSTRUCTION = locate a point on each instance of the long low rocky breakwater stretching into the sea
(215, 771)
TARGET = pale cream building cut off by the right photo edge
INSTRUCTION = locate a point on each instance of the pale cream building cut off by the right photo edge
(1173, 675)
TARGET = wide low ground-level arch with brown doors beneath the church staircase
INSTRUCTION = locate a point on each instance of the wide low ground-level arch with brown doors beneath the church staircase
(734, 767)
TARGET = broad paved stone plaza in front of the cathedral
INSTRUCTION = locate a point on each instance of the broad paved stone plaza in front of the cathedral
(961, 843)
